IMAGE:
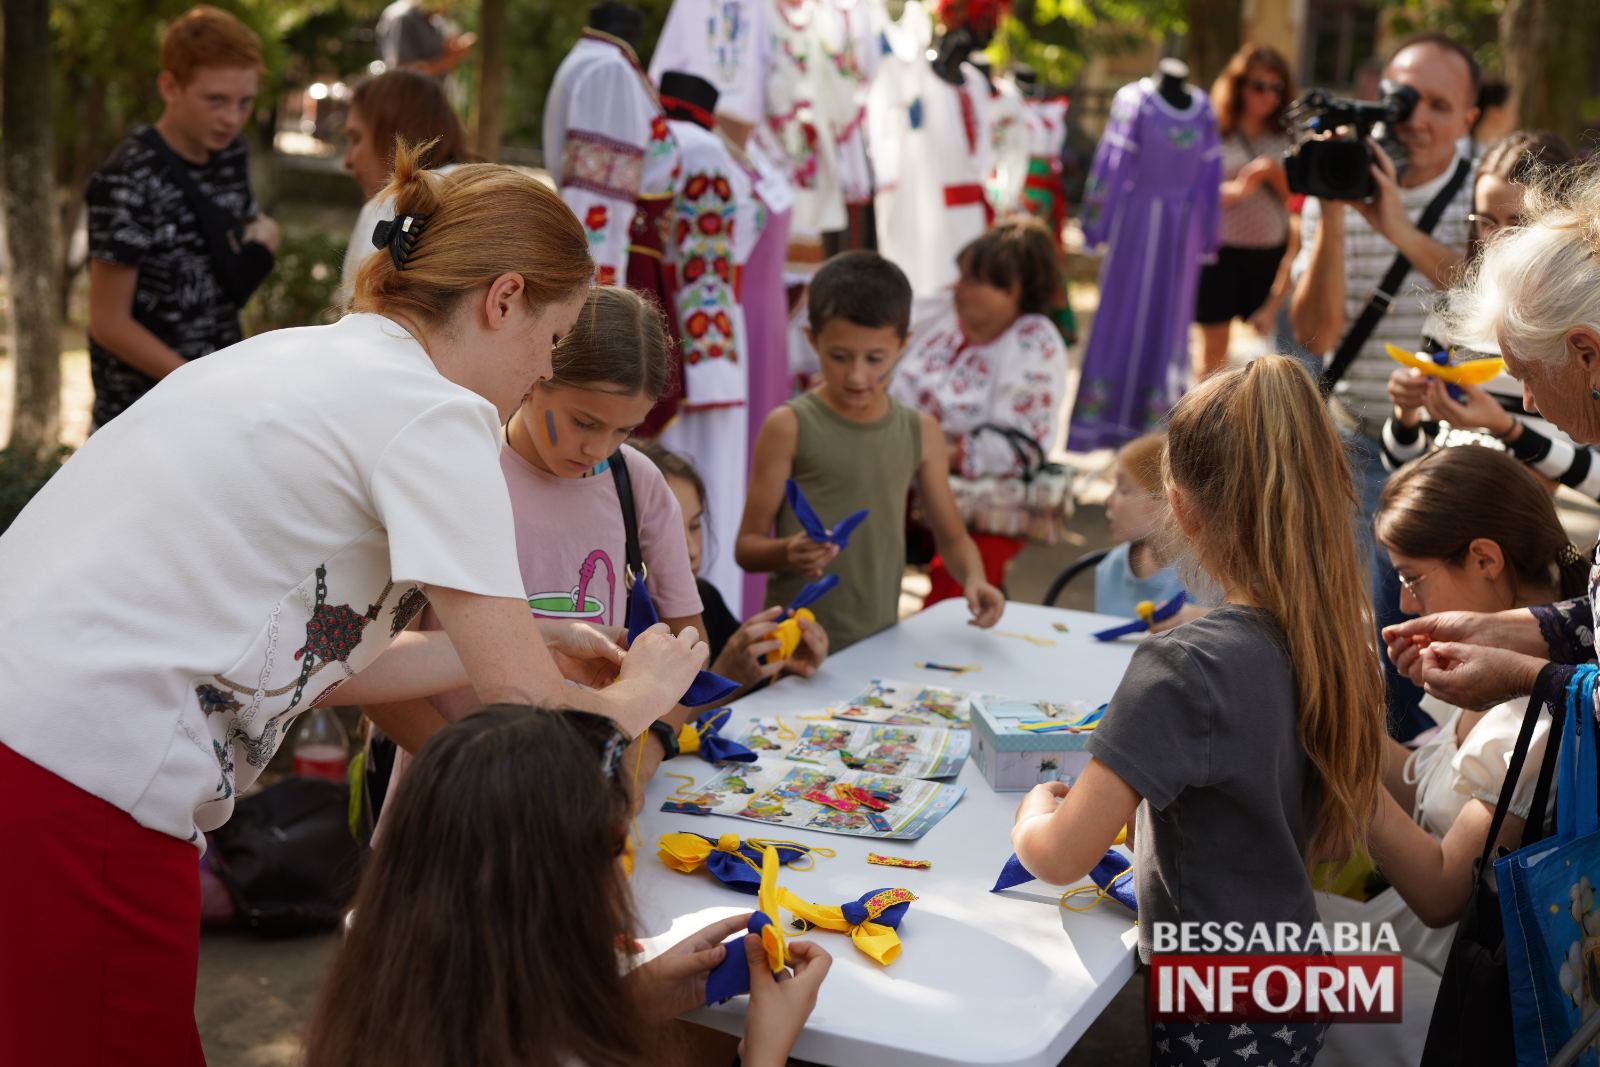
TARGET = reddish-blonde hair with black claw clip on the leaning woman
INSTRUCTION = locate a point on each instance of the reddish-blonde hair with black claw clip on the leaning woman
(484, 220)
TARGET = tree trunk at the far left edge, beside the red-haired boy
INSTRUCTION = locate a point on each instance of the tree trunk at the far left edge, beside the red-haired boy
(31, 217)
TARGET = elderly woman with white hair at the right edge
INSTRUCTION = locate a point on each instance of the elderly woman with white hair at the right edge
(1537, 294)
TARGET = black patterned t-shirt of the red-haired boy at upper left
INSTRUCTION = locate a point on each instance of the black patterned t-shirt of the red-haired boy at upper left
(142, 218)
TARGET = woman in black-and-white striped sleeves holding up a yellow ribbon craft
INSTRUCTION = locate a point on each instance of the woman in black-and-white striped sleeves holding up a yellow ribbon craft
(1426, 412)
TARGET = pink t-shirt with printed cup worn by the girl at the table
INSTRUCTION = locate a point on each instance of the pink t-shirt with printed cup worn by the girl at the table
(570, 526)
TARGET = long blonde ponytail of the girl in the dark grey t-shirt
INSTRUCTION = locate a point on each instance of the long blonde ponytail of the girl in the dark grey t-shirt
(1263, 471)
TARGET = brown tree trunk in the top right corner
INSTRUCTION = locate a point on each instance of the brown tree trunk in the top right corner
(1546, 46)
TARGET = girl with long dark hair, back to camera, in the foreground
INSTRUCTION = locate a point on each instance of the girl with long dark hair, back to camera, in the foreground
(502, 881)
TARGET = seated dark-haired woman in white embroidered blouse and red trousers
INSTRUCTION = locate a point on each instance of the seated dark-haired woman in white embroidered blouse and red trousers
(986, 353)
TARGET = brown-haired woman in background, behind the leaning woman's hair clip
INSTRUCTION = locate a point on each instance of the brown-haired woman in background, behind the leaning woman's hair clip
(385, 110)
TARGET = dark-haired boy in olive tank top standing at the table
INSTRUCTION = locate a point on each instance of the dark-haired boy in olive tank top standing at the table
(850, 446)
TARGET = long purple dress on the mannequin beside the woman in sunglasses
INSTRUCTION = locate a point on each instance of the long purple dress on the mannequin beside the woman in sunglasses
(1153, 199)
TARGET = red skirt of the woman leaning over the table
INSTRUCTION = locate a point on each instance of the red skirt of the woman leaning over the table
(100, 930)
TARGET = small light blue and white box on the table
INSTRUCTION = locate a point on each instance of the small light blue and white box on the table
(1014, 759)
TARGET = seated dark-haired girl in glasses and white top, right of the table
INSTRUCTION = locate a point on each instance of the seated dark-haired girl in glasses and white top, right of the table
(1468, 530)
